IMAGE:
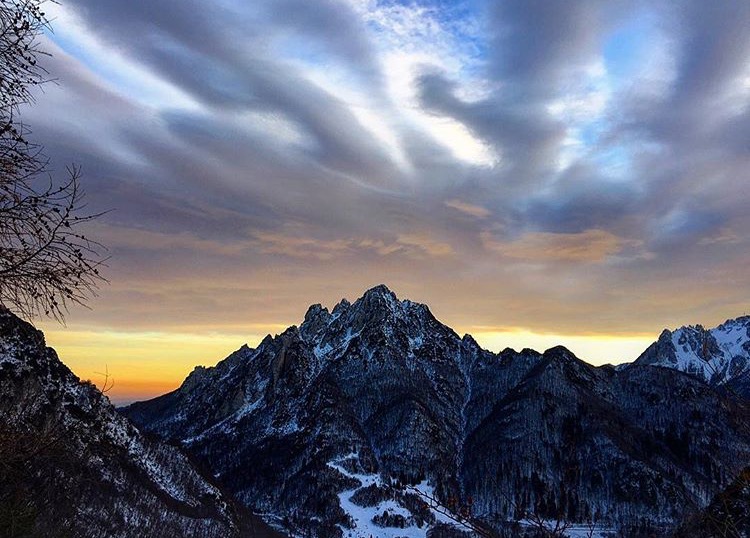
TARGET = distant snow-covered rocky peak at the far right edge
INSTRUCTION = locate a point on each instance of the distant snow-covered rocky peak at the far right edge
(717, 356)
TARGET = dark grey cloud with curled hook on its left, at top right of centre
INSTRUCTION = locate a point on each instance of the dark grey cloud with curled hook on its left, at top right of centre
(538, 50)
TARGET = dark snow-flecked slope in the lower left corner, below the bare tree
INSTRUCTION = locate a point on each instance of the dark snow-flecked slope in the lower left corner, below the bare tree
(71, 465)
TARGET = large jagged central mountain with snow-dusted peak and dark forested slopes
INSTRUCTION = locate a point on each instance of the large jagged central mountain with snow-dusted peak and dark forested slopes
(312, 427)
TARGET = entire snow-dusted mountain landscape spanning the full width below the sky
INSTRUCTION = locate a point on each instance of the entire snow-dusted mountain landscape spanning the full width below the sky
(375, 419)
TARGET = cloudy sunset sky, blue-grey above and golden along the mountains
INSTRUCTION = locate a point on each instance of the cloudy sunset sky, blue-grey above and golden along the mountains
(537, 172)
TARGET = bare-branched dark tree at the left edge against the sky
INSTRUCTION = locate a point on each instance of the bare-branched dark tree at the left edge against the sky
(46, 262)
